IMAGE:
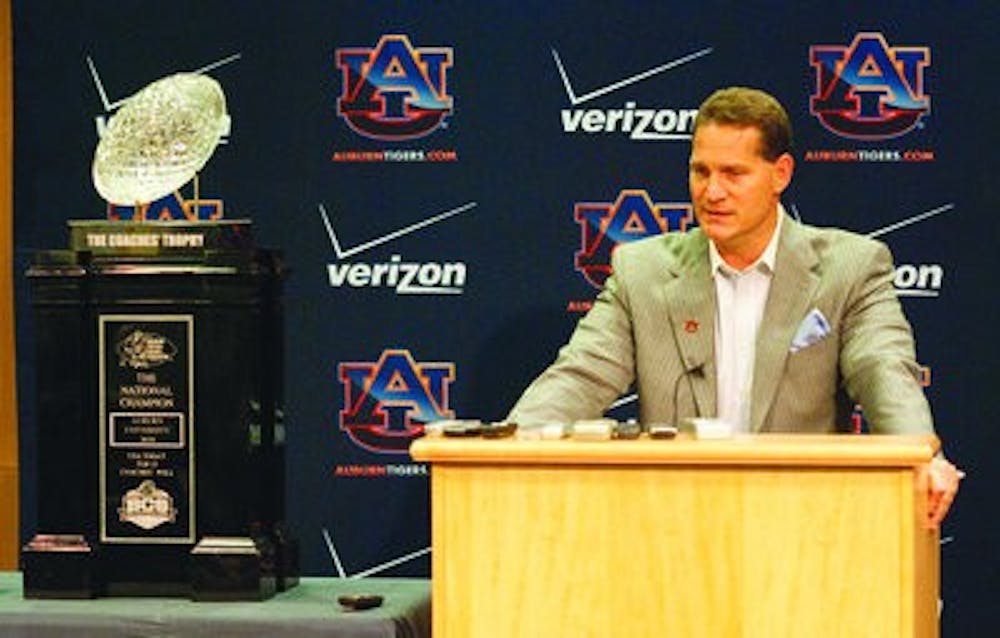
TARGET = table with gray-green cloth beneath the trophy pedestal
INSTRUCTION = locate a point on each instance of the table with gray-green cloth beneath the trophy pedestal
(306, 611)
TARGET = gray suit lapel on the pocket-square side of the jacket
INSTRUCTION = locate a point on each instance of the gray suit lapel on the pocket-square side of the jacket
(792, 293)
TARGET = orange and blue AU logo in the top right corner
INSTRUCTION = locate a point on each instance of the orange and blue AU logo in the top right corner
(869, 90)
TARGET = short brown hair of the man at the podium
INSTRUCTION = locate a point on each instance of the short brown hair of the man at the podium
(742, 106)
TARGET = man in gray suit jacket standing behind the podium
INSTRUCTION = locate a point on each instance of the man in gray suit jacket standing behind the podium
(754, 318)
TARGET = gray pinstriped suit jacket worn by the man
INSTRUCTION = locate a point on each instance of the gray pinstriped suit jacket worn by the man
(653, 324)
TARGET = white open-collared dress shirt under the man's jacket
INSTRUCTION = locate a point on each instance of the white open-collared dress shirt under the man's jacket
(741, 296)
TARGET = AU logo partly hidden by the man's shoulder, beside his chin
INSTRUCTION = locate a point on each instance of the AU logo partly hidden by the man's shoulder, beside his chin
(605, 225)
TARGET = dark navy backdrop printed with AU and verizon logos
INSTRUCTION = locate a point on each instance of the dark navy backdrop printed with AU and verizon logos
(447, 180)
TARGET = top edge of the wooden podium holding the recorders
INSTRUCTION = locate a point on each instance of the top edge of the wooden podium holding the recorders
(833, 450)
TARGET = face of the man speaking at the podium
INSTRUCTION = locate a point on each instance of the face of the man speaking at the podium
(735, 190)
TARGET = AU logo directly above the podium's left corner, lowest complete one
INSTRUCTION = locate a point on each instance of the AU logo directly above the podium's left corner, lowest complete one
(387, 403)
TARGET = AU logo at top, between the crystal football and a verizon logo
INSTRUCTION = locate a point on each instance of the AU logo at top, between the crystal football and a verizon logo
(394, 91)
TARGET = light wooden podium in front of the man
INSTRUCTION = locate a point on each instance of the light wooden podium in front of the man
(762, 536)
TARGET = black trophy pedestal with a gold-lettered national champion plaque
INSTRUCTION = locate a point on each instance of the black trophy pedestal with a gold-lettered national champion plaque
(159, 412)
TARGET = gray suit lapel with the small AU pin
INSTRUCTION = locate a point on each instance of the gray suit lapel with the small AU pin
(690, 296)
